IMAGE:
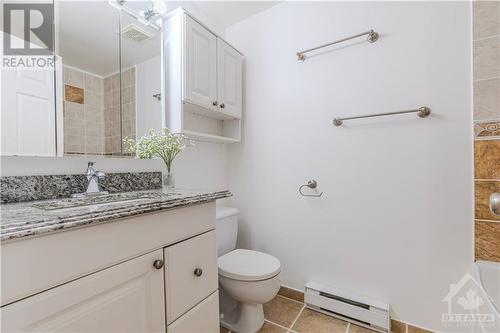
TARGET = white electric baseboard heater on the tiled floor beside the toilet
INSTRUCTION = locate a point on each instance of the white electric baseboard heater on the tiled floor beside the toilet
(356, 309)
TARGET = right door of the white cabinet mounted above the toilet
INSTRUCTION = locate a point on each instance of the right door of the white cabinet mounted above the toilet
(229, 78)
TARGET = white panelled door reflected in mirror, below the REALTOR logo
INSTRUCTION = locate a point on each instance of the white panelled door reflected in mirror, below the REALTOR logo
(28, 113)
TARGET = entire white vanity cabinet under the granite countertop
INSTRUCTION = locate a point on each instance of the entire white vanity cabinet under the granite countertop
(149, 273)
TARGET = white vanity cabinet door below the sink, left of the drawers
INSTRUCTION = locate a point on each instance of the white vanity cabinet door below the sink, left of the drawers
(128, 297)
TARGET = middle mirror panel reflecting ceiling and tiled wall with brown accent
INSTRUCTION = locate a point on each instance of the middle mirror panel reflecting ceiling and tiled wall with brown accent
(89, 47)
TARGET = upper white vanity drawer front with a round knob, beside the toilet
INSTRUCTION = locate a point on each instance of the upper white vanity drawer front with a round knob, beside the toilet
(190, 273)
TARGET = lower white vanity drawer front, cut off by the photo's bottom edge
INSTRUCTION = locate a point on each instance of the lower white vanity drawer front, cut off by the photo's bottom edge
(203, 318)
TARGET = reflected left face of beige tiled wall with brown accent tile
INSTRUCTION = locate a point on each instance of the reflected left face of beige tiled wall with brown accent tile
(83, 112)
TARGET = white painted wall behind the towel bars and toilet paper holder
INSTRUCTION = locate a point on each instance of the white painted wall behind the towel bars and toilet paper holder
(395, 220)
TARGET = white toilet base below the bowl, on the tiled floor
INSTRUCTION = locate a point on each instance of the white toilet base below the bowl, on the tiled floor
(245, 318)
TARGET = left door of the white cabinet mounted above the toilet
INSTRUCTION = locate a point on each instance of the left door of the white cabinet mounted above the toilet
(200, 71)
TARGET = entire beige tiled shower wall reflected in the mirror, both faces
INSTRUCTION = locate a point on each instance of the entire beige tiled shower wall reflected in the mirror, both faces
(92, 112)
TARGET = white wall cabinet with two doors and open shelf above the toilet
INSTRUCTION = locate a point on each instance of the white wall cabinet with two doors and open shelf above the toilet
(203, 81)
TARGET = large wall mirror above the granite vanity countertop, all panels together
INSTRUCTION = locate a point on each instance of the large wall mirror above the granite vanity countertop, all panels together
(106, 86)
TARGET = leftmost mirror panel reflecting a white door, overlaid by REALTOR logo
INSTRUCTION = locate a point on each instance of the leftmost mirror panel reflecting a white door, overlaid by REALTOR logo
(27, 100)
